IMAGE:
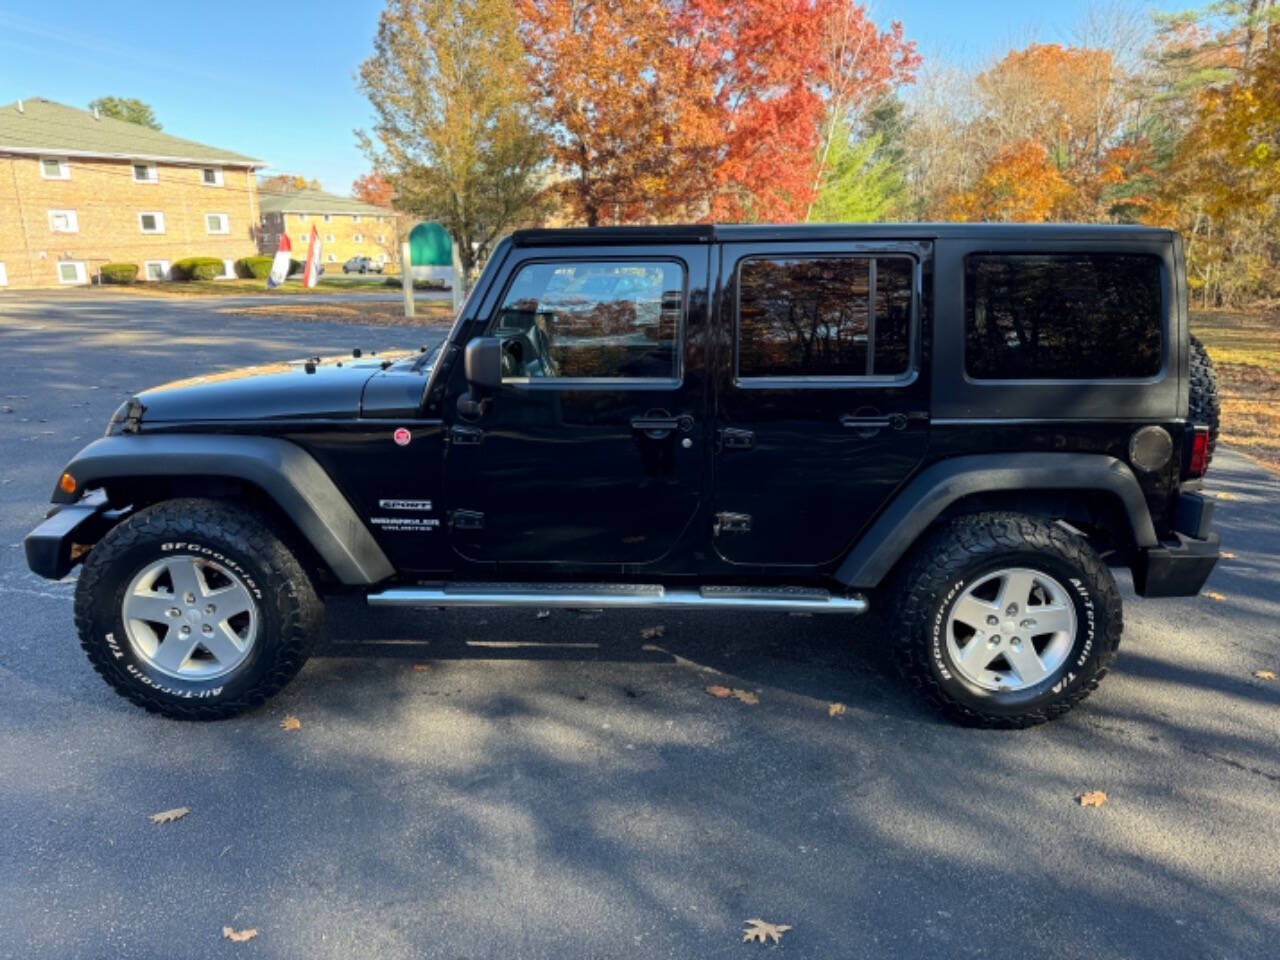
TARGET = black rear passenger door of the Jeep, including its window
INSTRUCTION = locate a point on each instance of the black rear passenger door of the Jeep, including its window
(821, 401)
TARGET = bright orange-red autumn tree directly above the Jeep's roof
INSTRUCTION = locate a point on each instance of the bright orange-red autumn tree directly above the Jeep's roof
(698, 109)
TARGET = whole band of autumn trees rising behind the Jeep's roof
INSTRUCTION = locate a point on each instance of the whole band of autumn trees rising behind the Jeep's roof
(493, 113)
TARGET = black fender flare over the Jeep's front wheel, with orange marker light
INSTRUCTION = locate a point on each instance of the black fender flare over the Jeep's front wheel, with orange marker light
(285, 472)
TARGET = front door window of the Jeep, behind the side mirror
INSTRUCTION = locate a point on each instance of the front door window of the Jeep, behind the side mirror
(592, 319)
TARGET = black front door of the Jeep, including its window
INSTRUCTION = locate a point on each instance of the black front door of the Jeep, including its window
(593, 451)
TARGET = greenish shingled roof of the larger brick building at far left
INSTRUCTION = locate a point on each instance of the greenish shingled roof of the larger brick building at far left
(40, 126)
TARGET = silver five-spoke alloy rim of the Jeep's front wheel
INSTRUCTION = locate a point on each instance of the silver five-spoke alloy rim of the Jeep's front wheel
(190, 618)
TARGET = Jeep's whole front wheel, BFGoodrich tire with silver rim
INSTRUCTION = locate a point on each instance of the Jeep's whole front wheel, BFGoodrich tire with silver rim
(195, 610)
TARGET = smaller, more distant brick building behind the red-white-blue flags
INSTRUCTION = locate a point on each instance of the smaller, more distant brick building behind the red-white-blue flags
(346, 227)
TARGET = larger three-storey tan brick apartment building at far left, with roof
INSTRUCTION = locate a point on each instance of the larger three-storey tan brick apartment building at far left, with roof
(79, 191)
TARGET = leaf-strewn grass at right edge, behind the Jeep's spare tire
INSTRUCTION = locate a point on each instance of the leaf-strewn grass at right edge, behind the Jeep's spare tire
(1246, 351)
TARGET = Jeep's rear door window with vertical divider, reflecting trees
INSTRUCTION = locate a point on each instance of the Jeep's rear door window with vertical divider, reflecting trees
(825, 317)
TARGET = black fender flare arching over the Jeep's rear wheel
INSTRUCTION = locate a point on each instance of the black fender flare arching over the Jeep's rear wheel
(938, 487)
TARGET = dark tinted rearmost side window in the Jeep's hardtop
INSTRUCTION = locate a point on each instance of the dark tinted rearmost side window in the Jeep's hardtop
(1069, 317)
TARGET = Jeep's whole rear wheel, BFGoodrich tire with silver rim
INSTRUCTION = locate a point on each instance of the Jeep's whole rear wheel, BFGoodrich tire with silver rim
(1007, 620)
